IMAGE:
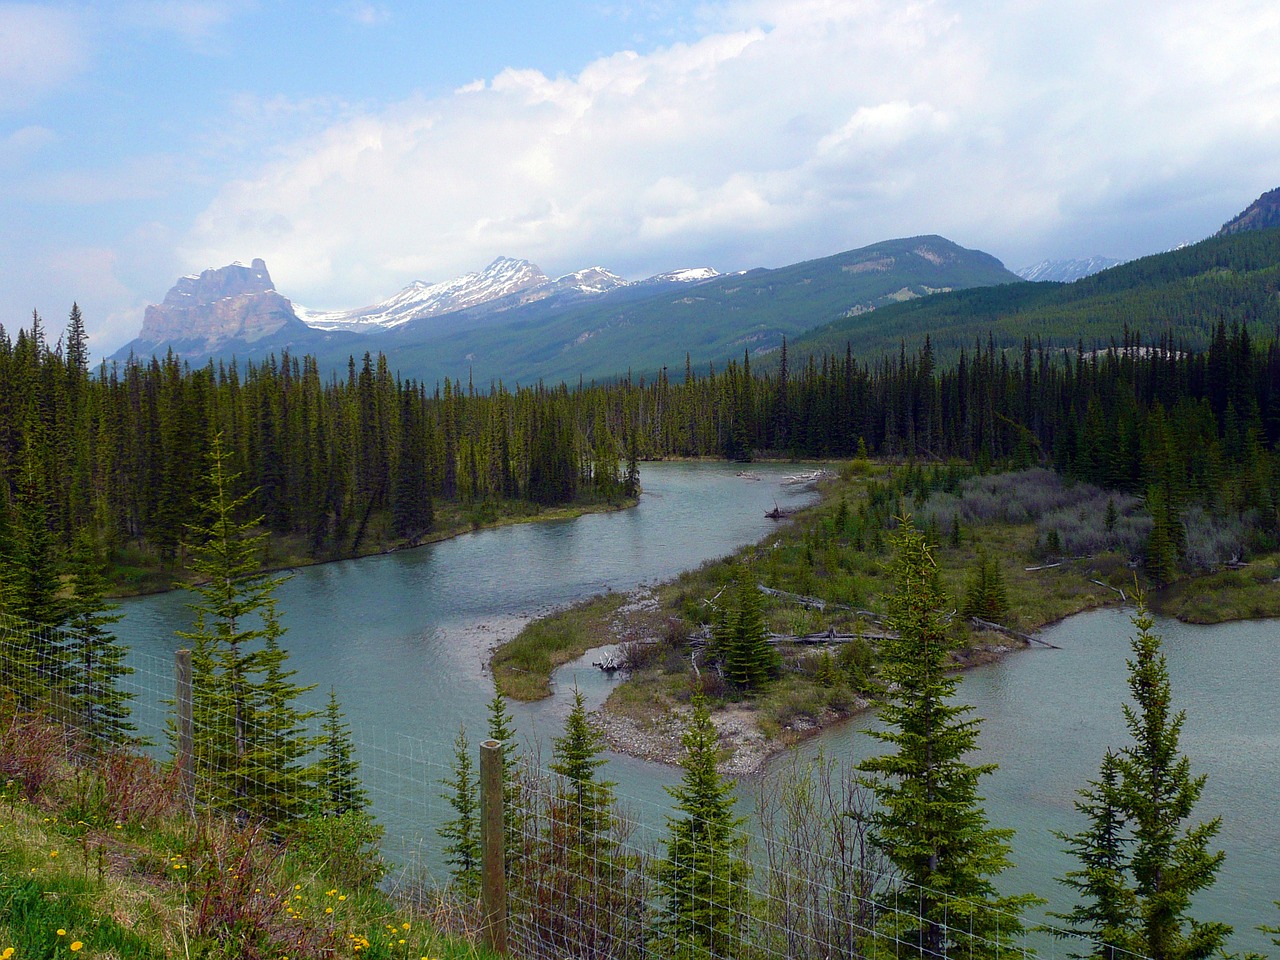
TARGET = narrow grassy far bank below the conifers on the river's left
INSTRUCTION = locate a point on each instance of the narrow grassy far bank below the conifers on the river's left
(134, 577)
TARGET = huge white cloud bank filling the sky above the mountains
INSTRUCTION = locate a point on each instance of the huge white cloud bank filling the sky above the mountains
(792, 130)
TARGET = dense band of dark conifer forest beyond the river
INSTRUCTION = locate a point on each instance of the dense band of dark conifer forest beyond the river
(122, 452)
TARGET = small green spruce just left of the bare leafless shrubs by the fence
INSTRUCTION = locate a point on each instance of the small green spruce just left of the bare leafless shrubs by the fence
(703, 879)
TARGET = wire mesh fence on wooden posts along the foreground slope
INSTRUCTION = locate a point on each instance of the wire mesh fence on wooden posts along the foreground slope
(586, 874)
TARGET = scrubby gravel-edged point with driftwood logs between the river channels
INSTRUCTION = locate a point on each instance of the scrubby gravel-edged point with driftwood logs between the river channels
(835, 556)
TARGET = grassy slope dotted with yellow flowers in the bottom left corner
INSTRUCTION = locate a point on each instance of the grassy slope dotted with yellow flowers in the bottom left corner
(89, 871)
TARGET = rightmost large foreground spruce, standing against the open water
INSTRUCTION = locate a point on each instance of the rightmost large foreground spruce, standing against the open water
(1168, 860)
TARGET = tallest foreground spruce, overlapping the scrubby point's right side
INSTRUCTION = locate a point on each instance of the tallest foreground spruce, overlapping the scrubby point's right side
(930, 821)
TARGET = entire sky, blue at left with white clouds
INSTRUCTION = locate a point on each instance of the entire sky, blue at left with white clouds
(360, 147)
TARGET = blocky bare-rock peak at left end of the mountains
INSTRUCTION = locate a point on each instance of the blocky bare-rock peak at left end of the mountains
(234, 303)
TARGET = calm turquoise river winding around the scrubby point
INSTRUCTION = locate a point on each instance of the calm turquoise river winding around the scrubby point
(404, 639)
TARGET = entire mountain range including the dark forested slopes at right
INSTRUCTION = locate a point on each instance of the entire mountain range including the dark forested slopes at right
(513, 323)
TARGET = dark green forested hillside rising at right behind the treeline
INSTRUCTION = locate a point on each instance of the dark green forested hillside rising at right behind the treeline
(1178, 298)
